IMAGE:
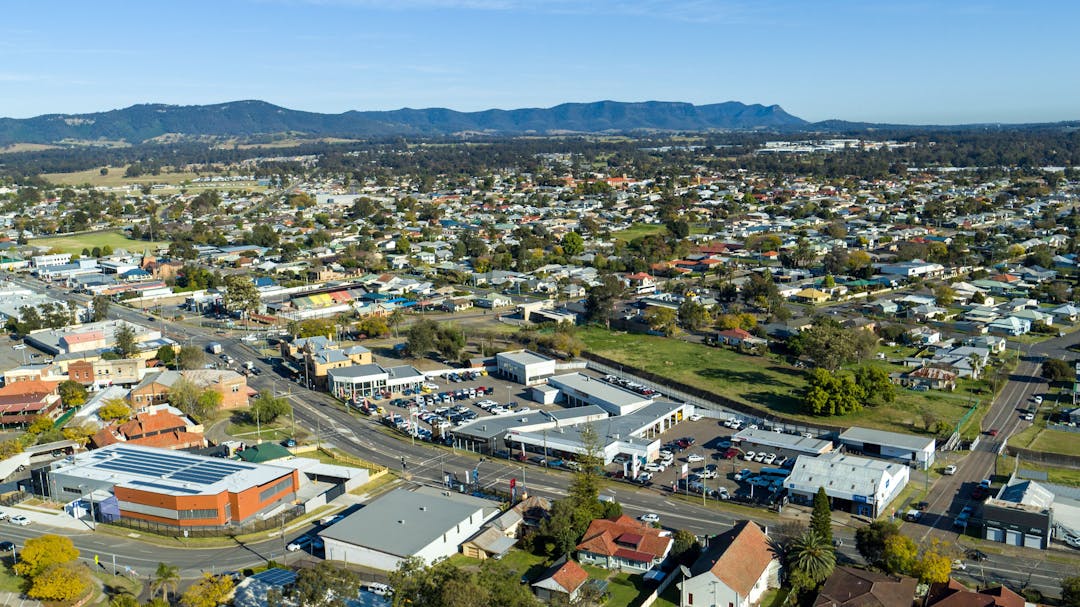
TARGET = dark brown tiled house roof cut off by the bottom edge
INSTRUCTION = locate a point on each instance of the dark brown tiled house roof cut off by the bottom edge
(857, 588)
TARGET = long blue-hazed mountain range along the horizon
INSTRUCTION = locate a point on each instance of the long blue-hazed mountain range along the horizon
(254, 119)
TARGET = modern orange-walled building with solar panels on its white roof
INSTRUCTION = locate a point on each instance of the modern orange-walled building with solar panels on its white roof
(173, 488)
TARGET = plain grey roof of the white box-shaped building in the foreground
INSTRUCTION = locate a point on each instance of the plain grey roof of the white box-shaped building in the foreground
(402, 522)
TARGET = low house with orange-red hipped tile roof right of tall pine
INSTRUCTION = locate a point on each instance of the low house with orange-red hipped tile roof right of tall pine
(624, 544)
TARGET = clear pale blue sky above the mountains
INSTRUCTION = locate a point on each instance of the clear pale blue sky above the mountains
(919, 62)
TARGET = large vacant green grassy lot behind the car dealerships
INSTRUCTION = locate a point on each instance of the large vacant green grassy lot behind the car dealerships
(765, 383)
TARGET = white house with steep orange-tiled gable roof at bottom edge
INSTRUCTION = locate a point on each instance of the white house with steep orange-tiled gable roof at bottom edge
(736, 570)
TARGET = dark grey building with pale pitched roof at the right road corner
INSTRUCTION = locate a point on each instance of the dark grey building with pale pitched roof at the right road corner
(1021, 515)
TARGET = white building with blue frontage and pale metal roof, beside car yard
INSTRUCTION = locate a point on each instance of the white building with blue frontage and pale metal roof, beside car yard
(854, 484)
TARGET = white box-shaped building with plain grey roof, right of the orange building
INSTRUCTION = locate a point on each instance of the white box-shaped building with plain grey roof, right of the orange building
(426, 523)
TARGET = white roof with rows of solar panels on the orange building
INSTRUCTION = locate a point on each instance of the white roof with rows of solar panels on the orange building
(167, 471)
